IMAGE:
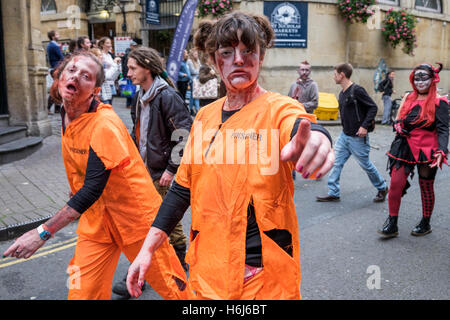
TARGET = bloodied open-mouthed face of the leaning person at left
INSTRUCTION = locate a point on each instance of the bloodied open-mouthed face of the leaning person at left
(77, 82)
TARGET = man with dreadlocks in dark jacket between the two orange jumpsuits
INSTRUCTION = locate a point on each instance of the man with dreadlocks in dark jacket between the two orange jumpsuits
(161, 126)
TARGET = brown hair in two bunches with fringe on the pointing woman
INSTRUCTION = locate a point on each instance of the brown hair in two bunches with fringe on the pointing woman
(256, 31)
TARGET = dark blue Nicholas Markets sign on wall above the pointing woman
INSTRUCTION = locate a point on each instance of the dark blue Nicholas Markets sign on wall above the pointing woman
(289, 20)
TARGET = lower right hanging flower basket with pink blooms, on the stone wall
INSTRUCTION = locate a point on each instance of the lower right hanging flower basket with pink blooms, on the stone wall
(400, 27)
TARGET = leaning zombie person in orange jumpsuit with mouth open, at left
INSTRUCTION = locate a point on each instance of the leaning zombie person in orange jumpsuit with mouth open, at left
(113, 194)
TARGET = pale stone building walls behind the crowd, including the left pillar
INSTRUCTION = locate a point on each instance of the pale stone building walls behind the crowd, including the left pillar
(25, 24)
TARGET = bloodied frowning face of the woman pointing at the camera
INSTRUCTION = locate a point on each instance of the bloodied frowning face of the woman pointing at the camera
(238, 65)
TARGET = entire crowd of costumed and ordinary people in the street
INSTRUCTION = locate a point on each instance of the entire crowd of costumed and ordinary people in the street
(130, 194)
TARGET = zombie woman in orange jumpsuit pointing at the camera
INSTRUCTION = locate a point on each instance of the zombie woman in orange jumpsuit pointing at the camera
(236, 174)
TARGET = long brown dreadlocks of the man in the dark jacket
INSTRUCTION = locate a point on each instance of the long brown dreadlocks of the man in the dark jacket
(149, 58)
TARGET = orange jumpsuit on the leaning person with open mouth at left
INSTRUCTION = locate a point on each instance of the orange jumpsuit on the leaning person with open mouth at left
(120, 219)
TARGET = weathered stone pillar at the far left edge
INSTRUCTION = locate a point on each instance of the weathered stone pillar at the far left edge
(25, 67)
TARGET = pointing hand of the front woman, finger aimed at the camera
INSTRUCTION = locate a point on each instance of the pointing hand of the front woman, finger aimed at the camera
(311, 151)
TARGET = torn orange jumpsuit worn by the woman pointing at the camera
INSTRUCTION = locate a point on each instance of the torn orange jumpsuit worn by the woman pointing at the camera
(226, 166)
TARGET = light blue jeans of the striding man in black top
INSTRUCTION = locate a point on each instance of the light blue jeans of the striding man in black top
(360, 148)
